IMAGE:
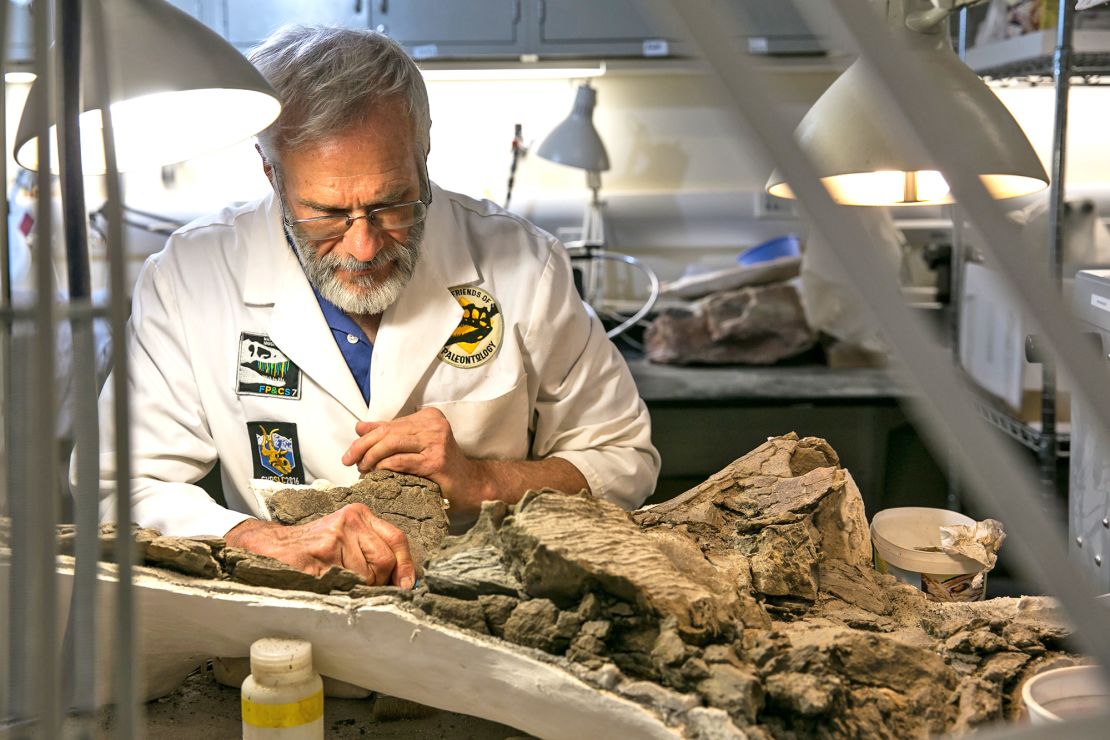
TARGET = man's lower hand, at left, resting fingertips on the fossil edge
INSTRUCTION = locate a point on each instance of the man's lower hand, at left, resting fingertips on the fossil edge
(352, 538)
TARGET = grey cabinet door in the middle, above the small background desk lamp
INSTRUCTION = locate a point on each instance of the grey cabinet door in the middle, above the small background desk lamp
(606, 29)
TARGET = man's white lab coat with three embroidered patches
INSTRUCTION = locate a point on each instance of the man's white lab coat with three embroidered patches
(233, 360)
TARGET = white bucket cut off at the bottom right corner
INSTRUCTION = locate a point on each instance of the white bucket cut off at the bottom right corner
(1065, 694)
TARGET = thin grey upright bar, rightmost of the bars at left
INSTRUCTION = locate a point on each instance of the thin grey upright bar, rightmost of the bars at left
(126, 677)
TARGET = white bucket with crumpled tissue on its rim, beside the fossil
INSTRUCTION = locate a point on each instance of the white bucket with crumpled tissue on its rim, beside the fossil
(906, 544)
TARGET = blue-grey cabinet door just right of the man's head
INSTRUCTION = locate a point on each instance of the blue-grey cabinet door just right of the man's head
(436, 29)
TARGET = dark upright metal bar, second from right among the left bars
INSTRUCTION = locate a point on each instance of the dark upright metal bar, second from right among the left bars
(80, 636)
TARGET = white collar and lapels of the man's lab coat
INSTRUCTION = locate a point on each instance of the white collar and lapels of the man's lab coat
(413, 330)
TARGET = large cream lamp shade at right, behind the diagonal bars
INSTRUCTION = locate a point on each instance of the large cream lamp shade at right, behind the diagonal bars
(867, 156)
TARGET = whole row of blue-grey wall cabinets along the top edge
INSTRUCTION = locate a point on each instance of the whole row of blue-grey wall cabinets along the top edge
(511, 29)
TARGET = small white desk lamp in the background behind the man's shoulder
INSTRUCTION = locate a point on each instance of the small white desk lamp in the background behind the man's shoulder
(577, 144)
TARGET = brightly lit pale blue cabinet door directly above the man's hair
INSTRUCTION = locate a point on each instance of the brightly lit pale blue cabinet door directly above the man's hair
(250, 22)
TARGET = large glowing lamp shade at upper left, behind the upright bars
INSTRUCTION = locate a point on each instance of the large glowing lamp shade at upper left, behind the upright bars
(179, 90)
